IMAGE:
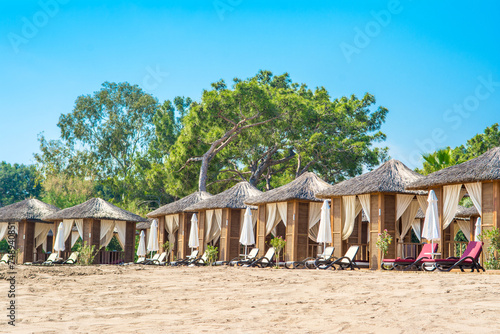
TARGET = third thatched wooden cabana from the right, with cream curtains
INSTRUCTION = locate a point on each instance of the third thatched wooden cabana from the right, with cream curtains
(292, 212)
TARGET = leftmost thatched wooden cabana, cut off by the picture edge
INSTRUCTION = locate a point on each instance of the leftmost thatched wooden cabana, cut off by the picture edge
(30, 229)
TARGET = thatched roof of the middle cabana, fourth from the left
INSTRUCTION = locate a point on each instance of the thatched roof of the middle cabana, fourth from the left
(233, 198)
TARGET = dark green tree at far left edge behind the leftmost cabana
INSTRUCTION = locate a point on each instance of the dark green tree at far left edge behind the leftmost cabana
(17, 183)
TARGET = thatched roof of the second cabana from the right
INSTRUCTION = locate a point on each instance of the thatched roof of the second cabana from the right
(391, 177)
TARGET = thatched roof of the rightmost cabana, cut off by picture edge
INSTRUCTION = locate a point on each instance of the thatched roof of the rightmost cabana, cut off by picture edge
(486, 167)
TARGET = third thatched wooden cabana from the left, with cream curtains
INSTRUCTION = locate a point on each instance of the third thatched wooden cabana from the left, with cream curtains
(174, 224)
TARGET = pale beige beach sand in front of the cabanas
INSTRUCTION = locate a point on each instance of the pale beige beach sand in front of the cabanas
(147, 299)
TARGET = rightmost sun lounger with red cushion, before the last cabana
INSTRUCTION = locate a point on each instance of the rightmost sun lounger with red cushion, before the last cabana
(468, 260)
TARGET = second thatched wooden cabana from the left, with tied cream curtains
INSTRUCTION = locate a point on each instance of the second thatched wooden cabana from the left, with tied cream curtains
(96, 221)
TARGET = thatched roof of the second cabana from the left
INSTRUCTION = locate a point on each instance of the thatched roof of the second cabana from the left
(95, 208)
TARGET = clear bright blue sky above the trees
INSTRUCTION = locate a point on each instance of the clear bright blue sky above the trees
(436, 67)
